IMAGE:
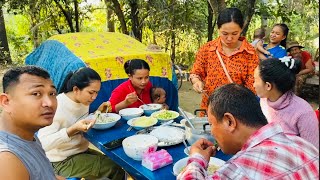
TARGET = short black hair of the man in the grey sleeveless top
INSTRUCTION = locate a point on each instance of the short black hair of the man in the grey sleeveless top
(11, 77)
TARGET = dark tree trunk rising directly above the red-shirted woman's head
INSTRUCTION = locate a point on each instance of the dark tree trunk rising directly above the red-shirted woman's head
(134, 15)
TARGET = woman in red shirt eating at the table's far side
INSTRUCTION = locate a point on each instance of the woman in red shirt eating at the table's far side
(136, 90)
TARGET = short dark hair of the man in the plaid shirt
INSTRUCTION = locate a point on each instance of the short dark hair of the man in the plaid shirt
(240, 102)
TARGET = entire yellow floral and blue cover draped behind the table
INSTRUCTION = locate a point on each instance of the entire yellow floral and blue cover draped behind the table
(106, 53)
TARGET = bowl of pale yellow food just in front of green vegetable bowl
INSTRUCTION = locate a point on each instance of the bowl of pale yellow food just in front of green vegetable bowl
(142, 122)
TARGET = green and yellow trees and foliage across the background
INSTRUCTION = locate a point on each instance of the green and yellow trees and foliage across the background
(179, 27)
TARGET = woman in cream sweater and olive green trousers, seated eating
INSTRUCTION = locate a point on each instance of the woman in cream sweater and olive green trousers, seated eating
(63, 140)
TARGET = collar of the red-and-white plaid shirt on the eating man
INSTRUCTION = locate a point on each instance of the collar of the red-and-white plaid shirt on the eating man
(262, 134)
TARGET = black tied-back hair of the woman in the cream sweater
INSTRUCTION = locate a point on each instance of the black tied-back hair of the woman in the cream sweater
(80, 78)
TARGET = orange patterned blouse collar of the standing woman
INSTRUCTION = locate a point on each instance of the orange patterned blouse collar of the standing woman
(245, 46)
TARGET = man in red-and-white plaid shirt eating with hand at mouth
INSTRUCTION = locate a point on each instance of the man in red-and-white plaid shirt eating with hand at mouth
(261, 150)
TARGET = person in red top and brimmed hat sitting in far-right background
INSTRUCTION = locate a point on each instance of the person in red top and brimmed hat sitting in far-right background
(307, 69)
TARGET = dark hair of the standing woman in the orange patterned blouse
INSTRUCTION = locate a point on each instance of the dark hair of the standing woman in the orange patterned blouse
(230, 15)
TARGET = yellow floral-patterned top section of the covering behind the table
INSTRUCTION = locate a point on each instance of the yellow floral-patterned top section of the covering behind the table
(107, 52)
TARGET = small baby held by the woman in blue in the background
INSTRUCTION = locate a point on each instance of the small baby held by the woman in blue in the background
(259, 35)
